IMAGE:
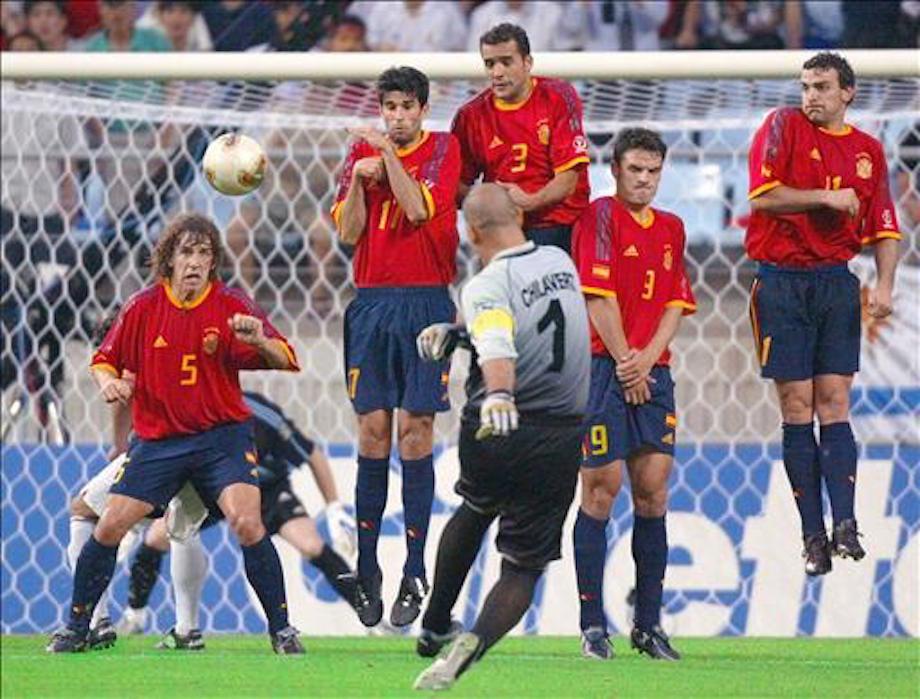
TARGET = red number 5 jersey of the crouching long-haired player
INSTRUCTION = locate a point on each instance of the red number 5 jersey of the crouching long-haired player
(185, 357)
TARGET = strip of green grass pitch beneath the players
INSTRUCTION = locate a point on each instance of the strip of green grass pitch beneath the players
(244, 666)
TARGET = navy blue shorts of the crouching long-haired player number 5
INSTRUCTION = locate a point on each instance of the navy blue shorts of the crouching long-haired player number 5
(157, 469)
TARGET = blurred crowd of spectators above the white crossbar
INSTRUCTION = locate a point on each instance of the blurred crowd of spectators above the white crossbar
(426, 25)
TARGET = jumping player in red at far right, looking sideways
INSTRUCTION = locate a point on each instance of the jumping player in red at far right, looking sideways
(819, 192)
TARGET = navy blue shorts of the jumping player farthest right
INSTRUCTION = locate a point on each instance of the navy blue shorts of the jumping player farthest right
(806, 322)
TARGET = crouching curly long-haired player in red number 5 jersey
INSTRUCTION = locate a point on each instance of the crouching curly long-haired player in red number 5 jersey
(184, 341)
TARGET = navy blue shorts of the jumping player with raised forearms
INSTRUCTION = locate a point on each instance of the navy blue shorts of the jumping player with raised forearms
(382, 368)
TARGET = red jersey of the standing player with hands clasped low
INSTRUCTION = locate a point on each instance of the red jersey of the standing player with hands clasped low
(642, 264)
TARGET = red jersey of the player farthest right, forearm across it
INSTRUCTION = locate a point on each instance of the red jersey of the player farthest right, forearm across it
(789, 150)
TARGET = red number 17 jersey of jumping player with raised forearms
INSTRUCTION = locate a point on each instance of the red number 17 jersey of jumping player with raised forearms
(394, 251)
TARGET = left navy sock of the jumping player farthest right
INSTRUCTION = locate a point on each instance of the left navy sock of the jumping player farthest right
(800, 456)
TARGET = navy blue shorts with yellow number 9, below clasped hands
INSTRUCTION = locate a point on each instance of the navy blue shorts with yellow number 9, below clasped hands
(614, 429)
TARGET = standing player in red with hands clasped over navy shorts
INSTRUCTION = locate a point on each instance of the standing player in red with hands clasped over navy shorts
(631, 260)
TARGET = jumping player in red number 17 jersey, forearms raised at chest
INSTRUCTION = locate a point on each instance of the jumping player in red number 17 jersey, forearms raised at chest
(397, 204)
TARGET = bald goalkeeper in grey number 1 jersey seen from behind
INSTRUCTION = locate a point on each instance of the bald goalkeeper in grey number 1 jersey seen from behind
(520, 436)
